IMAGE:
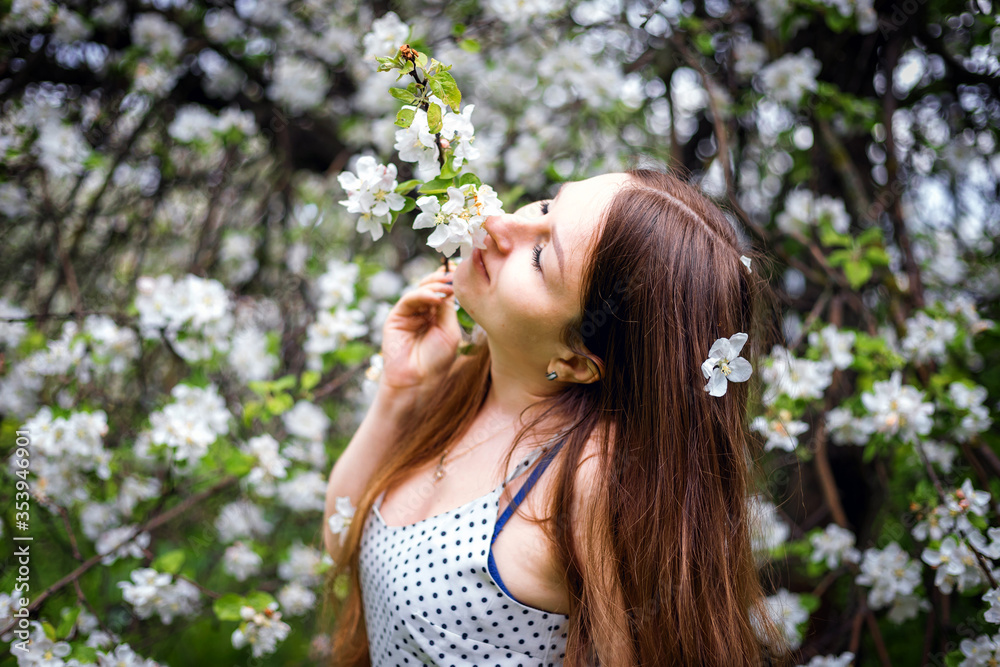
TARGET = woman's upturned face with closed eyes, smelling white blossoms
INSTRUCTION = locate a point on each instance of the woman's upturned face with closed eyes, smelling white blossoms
(534, 259)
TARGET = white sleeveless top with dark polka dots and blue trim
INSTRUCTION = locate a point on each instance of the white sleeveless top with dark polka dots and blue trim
(432, 594)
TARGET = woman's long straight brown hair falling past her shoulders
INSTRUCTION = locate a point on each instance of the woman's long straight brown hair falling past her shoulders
(664, 573)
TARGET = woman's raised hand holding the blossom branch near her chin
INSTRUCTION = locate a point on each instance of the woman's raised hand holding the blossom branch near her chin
(421, 335)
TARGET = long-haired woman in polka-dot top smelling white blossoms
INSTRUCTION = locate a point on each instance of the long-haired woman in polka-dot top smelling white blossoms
(633, 548)
